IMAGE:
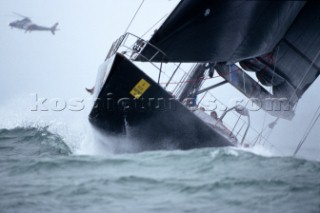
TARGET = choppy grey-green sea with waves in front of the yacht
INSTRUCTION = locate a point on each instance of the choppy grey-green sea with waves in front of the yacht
(44, 171)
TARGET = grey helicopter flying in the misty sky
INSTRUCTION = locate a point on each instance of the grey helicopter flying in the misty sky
(27, 25)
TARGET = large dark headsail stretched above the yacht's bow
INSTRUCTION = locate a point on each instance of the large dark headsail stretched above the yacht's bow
(222, 30)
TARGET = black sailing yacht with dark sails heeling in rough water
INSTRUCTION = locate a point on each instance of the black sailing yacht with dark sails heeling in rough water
(276, 40)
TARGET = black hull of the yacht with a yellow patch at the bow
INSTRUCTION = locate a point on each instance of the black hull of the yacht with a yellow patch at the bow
(153, 121)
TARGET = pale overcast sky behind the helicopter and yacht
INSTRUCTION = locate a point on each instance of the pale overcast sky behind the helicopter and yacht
(62, 65)
